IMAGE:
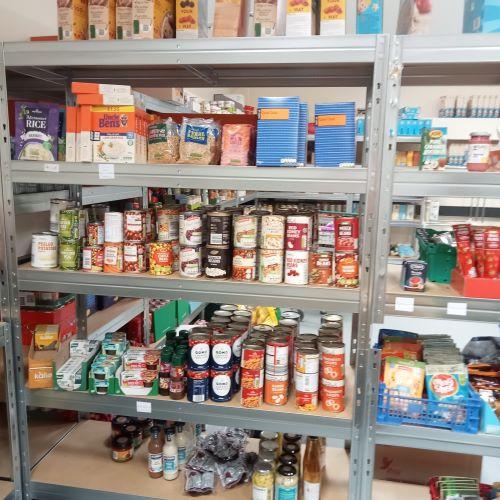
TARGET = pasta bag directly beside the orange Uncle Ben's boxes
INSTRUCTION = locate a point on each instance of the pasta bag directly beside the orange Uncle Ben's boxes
(163, 142)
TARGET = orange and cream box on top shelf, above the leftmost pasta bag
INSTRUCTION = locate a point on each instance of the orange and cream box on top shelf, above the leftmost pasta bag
(153, 19)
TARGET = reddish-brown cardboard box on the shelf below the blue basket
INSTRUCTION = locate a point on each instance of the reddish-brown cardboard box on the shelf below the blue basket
(415, 466)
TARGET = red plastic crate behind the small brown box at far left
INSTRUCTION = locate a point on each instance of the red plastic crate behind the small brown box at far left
(64, 316)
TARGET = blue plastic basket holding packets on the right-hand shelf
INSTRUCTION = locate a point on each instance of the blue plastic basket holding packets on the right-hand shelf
(460, 417)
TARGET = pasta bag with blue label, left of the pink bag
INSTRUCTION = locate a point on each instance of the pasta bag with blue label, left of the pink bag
(199, 142)
